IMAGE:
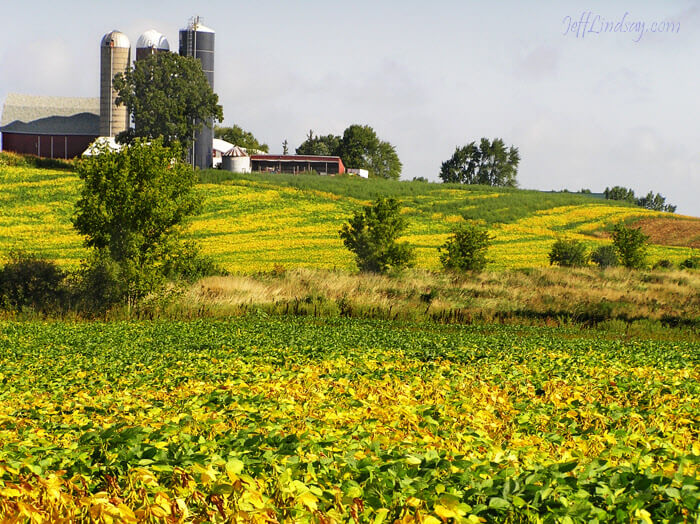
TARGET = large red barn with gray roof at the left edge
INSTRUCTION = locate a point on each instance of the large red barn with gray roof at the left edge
(49, 126)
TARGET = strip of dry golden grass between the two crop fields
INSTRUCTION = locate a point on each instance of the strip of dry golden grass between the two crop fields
(577, 293)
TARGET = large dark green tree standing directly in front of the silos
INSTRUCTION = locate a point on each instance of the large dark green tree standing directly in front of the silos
(169, 97)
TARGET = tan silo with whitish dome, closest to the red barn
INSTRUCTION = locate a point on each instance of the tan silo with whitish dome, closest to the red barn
(115, 56)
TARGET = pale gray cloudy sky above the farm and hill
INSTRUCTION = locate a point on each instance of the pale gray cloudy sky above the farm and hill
(589, 98)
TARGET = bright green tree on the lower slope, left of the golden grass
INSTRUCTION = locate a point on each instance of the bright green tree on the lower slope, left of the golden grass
(132, 206)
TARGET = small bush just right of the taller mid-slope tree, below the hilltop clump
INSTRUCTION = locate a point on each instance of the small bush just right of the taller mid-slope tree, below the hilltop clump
(466, 249)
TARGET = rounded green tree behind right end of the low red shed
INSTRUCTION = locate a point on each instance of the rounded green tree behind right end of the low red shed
(361, 148)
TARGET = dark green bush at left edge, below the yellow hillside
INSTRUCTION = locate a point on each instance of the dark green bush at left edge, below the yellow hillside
(28, 281)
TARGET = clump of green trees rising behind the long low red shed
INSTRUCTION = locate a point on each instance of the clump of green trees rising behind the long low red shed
(359, 147)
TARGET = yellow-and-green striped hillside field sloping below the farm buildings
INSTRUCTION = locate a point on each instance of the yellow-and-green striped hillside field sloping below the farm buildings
(253, 223)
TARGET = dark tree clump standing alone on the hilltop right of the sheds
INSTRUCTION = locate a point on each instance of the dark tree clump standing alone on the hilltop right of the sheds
(489, 163)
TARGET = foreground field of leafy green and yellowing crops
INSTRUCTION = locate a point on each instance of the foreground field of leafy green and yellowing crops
(262, 419)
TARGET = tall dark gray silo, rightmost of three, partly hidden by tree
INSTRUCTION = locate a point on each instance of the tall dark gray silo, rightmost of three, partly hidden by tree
(197, 40)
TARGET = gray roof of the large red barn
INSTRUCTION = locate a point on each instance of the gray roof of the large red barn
(50, 115)
